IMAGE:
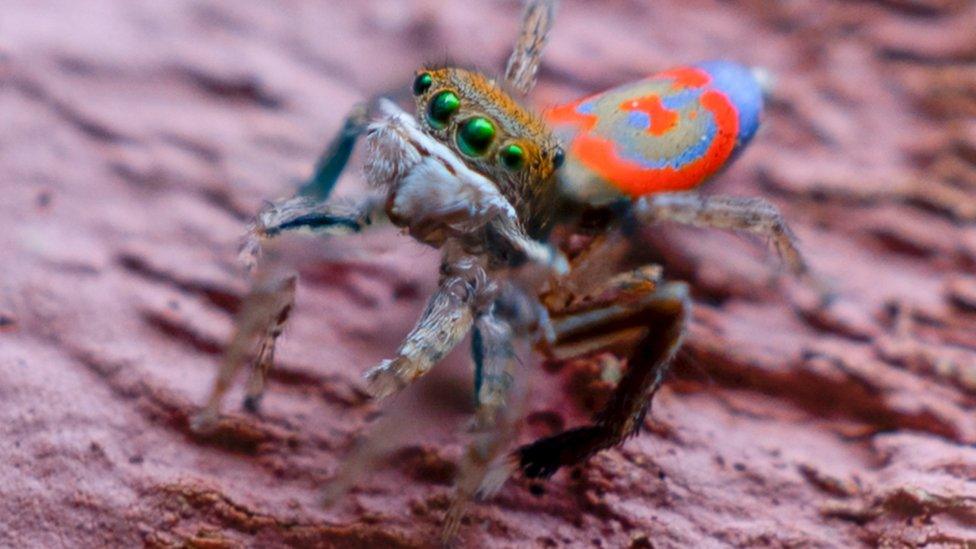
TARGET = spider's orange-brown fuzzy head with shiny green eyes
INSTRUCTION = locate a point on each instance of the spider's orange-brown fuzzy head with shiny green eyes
(488, 130)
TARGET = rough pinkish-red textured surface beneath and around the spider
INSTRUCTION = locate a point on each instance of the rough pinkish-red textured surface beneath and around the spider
(138, 136)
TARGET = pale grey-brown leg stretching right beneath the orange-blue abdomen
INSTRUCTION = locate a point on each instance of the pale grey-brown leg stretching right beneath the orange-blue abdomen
(753, 215)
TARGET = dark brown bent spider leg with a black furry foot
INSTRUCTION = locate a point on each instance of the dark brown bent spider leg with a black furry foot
(653, 325)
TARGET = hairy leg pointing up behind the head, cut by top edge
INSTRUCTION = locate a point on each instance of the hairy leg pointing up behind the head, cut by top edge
(537, 20)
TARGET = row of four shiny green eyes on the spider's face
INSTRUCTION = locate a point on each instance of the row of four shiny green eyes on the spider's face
(474, 135)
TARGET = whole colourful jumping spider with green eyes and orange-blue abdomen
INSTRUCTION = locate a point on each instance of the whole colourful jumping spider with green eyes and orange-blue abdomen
(480, 177)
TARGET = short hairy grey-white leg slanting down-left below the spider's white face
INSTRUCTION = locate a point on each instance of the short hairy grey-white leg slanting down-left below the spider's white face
(464, 289)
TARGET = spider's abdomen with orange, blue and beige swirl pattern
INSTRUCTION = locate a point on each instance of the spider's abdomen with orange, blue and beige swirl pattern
(670, 132)
